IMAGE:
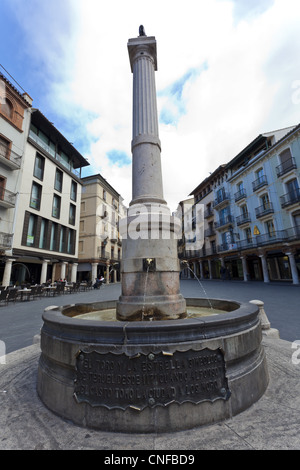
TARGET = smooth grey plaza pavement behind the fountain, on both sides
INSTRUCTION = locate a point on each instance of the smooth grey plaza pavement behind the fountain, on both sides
(21, 321)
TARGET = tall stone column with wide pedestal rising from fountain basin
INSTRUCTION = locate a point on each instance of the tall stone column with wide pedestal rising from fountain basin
(150, 266)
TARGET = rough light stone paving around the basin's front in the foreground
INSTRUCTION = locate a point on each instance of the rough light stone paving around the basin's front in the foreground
(271, 423)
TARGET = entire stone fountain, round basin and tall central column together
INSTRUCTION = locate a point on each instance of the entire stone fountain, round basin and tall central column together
(150, 367)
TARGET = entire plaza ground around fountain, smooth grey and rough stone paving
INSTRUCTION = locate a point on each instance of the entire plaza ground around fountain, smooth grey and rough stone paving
(271, 423)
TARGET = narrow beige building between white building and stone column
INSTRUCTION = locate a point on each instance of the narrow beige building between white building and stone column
(100, 245)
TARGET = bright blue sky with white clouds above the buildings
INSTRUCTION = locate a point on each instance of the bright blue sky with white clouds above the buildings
(228, 70)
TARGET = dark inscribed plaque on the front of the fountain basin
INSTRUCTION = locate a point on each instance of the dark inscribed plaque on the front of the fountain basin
(121, 381)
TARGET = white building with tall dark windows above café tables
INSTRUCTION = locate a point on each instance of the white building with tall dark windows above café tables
(45, 191)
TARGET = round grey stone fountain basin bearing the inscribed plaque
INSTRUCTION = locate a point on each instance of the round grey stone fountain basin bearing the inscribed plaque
(151, 376)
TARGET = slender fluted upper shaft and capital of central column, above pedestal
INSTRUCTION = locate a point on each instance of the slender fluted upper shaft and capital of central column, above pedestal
(147, 183)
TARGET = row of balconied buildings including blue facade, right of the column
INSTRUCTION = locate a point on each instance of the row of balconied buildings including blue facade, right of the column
(253, 230)
